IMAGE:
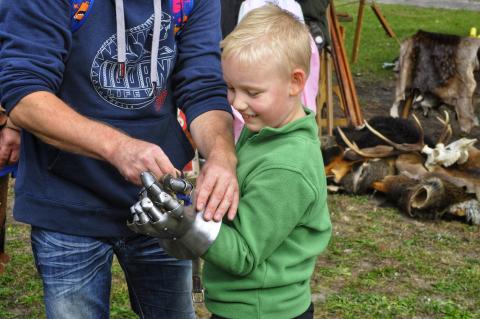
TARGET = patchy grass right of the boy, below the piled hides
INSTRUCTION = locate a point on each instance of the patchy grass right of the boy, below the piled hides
(381, 264)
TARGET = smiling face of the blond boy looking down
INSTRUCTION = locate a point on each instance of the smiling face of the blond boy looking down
(262, 94)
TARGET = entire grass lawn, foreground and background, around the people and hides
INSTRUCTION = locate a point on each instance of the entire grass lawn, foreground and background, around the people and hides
(379, 264)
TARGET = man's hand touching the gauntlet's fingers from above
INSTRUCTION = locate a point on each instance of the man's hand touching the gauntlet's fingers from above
(132, 157)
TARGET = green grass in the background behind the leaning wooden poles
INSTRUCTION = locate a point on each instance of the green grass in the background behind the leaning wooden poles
(376, 47)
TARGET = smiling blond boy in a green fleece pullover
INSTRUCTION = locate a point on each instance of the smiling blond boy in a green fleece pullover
(260, 264)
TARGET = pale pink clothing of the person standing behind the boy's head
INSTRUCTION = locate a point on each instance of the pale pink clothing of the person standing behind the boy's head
(309, 94)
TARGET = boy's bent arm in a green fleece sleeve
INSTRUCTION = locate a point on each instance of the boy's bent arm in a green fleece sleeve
(271, 207)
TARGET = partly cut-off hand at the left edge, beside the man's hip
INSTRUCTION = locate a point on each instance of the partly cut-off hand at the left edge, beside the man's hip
(9, 145)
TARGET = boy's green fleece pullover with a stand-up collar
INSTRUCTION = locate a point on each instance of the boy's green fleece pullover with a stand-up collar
(261, 263)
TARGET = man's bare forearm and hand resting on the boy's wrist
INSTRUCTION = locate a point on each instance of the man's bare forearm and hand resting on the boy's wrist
(217, 187)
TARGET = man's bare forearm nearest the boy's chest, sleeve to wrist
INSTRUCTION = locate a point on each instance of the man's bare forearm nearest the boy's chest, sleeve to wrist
(213, 135)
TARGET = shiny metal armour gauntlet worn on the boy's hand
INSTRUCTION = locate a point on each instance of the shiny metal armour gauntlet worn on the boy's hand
(165, 210)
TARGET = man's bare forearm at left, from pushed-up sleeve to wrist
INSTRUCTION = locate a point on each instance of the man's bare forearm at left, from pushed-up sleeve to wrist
(49, 118)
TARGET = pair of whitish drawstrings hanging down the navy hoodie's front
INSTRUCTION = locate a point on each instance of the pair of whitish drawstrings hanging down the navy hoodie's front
(122, 46)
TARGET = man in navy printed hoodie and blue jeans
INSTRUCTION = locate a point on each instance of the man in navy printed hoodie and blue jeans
(95, 87)
